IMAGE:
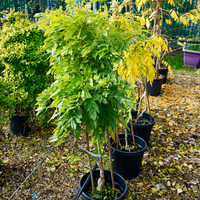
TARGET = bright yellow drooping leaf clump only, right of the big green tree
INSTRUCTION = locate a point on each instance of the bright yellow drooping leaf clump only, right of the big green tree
(138, 59)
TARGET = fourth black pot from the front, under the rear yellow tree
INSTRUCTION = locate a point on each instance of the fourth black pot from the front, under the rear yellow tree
(155, 88)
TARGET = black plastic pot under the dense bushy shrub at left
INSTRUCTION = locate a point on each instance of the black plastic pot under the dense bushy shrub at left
(19, 125)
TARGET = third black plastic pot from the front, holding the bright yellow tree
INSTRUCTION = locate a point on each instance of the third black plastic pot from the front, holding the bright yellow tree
(142, 130)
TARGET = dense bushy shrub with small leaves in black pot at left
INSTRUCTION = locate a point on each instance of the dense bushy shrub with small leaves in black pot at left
(25, 65)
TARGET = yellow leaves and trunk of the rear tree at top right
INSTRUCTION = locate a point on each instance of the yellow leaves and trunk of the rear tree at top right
(152, 18)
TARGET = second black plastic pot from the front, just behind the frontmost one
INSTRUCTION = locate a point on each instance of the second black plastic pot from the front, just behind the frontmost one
(128, 164)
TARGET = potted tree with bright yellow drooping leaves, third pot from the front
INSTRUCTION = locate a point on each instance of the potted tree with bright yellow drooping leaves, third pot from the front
(138, 66)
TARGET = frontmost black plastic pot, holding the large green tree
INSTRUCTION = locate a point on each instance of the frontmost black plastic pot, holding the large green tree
(120, 185)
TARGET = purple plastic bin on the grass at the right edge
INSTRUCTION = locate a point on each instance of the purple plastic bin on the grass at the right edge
(191, 58)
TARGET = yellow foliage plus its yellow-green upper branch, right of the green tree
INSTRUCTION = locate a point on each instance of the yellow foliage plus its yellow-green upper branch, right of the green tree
(138, 57)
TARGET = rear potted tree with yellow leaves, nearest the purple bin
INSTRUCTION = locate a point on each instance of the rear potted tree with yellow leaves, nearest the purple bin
(155, 13)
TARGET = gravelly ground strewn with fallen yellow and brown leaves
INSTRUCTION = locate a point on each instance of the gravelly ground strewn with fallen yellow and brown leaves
(170, 167)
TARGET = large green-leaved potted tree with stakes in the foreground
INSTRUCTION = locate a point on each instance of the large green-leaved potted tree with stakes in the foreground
(87, 93)
